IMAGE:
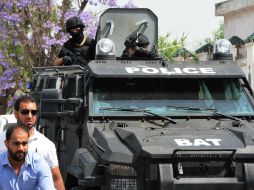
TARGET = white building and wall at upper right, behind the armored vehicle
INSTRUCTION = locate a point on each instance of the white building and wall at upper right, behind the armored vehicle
(239, 21)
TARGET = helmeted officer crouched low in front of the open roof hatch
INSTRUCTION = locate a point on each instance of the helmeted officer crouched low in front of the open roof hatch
(136, 47)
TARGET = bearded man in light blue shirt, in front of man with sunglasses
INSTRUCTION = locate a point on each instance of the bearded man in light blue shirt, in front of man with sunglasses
(20, 170)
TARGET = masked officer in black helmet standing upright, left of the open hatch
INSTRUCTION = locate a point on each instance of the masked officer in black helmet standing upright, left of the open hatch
(78, 49)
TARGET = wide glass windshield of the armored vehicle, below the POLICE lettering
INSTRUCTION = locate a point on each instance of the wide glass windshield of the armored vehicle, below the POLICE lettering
(158, 95)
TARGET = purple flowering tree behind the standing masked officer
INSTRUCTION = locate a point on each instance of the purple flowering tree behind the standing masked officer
(31, 34)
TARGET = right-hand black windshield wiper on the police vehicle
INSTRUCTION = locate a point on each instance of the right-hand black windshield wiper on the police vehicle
(209, 110)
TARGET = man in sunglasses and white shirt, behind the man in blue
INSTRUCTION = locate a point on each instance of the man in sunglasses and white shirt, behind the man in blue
(25, 111)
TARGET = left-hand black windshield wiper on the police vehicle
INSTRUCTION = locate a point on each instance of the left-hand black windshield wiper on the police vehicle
(146, 111)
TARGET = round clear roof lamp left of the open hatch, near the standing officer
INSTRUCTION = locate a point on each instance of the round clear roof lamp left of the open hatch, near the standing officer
(105, 47)
